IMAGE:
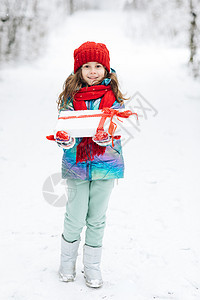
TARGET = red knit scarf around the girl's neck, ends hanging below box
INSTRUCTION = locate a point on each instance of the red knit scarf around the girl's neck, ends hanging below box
(87, 149)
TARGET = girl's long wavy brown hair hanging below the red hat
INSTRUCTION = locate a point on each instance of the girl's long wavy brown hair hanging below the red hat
(74, 82)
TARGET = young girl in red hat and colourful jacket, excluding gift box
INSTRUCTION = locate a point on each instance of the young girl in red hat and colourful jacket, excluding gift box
(90, 165)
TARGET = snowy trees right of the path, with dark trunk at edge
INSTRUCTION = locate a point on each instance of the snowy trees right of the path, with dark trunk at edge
(176, 22)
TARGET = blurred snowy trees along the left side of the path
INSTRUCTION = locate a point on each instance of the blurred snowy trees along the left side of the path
(25, 24)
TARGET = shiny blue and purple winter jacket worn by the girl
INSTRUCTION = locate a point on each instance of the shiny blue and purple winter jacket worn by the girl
(107, 166)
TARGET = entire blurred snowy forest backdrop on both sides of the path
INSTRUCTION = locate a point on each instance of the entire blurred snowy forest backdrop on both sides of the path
(25, 25)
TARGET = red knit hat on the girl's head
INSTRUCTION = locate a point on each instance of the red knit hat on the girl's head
(91, 51)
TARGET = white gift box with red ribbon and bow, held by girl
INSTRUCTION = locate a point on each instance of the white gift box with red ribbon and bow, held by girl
(84, 123)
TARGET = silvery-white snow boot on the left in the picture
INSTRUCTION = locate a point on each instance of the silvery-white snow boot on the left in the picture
(69, 253)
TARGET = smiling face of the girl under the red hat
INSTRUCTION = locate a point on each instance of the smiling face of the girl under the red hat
(93, 72)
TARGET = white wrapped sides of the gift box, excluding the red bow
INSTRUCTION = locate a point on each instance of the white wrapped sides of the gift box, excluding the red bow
(82, 123)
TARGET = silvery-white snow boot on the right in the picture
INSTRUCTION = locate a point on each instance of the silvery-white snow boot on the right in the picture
(91, 261)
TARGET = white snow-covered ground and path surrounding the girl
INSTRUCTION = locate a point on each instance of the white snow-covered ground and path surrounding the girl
(152, 239)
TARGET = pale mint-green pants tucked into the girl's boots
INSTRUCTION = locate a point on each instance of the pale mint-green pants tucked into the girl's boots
(87, 205)
